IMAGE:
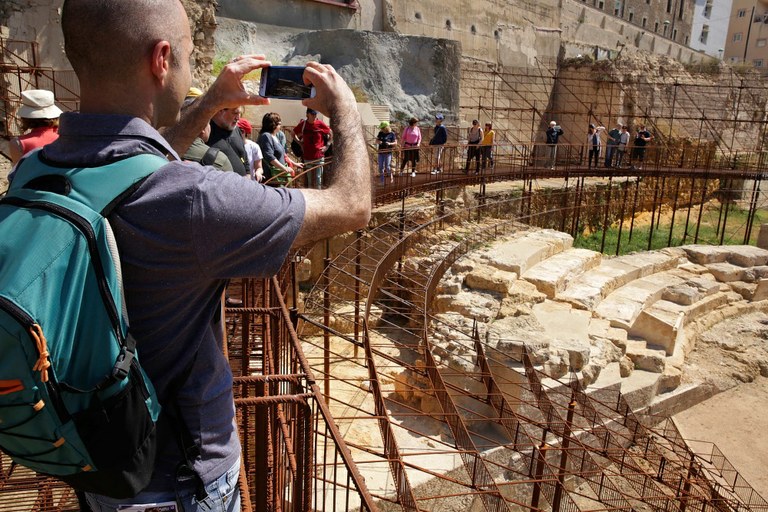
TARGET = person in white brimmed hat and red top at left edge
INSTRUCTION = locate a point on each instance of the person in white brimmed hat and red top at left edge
(40, 117)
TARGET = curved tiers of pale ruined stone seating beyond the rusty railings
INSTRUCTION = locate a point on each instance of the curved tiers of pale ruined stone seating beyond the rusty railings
(614, 321)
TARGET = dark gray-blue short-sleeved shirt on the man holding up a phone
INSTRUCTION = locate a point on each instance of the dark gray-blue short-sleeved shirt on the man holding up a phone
(181, 236)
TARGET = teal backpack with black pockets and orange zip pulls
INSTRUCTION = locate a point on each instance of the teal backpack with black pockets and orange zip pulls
(74, 402)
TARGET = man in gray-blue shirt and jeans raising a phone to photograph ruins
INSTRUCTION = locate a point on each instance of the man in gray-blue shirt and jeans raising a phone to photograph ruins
(186, 229)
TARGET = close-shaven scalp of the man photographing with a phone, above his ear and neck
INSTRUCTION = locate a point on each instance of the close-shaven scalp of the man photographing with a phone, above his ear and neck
(110, 39)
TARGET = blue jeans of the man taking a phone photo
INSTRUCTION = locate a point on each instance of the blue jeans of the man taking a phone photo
(223, 496)
